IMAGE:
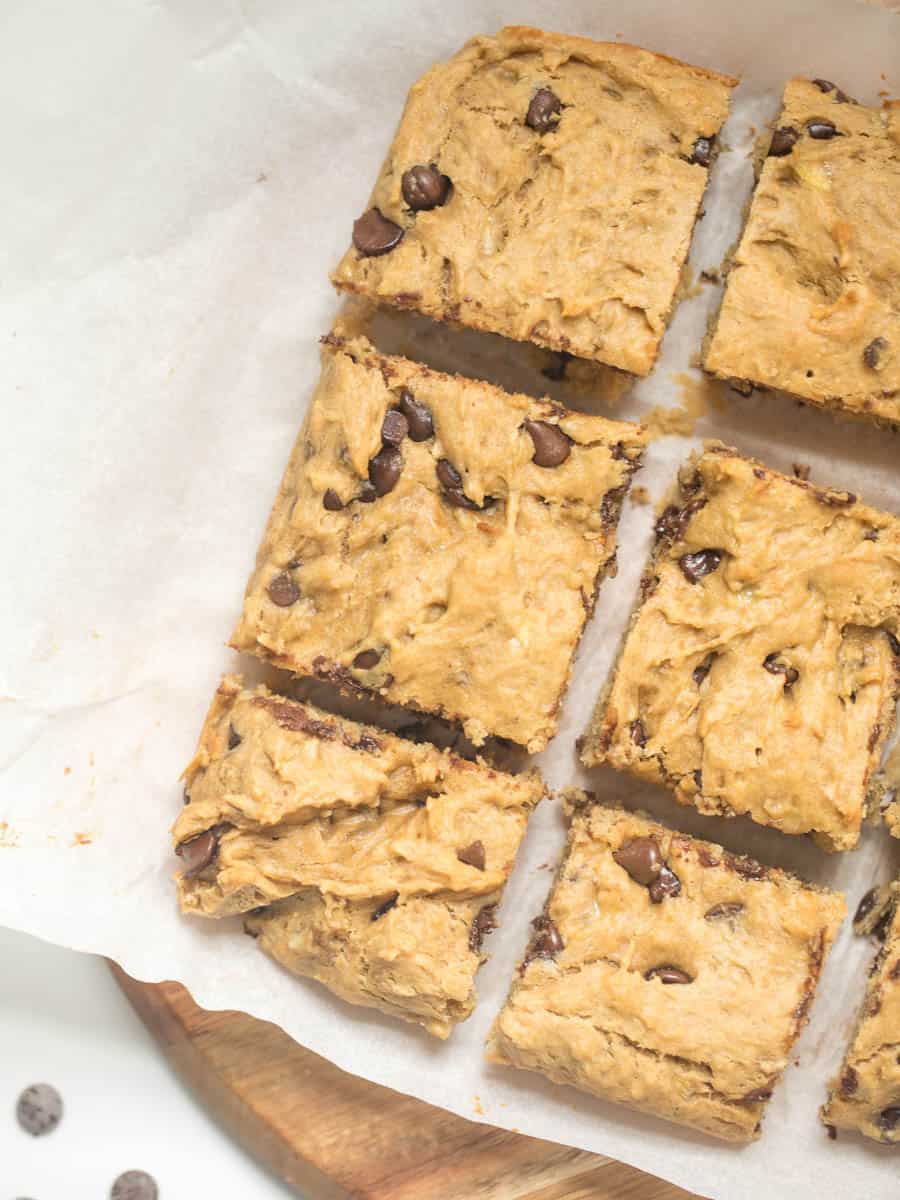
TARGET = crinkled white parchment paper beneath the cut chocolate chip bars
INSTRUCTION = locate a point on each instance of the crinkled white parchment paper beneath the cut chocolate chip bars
(179, 179)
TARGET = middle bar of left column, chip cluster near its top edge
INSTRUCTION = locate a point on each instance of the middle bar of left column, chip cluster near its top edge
(439, 542)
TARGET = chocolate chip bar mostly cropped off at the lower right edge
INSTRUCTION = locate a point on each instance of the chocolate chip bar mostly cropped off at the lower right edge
(866, 1096)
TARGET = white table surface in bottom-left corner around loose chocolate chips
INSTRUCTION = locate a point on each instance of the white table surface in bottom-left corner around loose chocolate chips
(64, 1022)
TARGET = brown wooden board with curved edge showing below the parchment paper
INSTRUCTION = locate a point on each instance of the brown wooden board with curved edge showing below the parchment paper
(334, 1137)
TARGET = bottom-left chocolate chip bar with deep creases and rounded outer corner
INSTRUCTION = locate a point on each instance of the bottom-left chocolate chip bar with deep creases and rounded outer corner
(368, 862)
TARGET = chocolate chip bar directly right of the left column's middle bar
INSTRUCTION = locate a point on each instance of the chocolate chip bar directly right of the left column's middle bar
(760, 673)
